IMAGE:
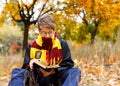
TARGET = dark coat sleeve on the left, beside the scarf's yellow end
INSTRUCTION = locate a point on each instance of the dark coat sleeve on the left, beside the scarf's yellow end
(26, 58)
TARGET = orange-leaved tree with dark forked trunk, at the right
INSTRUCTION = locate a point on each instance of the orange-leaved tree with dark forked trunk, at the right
(94, 13)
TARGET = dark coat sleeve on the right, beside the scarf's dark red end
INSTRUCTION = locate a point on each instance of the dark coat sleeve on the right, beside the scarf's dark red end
(67, 61)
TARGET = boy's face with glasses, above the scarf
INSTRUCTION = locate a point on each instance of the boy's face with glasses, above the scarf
(46, 32)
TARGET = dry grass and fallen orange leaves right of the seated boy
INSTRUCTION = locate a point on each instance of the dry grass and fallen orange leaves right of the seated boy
(99, 63)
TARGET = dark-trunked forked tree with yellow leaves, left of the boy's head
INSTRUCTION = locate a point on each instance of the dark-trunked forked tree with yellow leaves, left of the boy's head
(19, 11)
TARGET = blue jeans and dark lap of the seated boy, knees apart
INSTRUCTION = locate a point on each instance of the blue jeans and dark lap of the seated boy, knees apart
(69, 77)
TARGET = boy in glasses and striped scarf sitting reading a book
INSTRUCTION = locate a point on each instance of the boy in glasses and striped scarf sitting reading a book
(49, 50)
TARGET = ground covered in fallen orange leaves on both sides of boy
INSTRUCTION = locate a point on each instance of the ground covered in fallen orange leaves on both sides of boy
(94, 71)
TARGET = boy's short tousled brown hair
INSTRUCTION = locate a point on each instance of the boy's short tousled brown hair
(46, 21)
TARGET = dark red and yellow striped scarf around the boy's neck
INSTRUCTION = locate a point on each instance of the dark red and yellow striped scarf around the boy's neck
(47, 50)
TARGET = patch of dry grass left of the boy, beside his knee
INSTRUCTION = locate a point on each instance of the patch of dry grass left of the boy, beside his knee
(8, 63)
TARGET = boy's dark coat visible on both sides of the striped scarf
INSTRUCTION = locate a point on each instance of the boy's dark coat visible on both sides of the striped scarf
(66, 63)
